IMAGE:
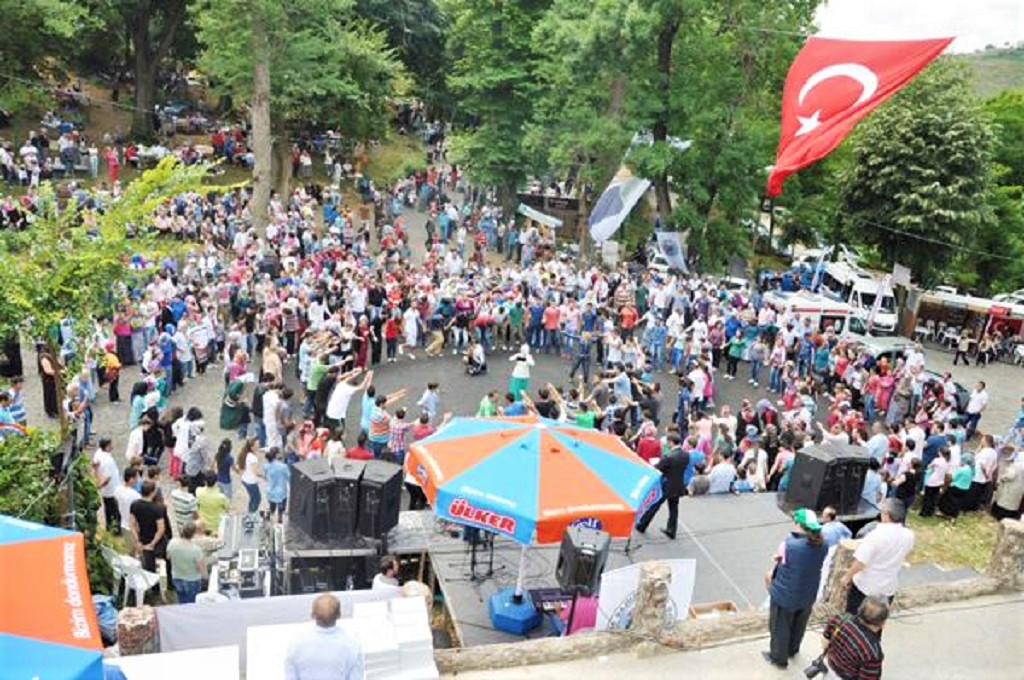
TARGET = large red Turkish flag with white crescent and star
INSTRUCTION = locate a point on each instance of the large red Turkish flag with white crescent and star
(835, 83)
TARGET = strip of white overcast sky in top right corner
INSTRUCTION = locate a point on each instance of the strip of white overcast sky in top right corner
(975, 23)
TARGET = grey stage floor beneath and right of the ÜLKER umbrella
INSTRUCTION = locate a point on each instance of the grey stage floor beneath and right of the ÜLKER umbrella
(732, 538)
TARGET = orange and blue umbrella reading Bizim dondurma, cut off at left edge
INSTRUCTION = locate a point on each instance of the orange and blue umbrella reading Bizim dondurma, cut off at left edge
(49, 628)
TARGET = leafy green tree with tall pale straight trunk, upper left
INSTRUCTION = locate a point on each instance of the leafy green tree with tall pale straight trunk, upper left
(309, 64)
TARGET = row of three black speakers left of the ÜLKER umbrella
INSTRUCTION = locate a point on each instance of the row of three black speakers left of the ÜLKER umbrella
(345, 499)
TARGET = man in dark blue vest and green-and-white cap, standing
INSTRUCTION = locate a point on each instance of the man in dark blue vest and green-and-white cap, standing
(794, 587)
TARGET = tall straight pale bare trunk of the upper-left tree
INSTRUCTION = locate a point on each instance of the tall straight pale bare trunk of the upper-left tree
(263, 142)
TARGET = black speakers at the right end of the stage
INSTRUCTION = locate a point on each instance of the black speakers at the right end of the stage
(828, 475)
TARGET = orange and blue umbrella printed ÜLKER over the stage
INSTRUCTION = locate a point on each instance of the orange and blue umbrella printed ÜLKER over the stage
(529, 479)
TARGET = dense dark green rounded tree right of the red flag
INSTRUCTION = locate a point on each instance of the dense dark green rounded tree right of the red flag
(920, 179)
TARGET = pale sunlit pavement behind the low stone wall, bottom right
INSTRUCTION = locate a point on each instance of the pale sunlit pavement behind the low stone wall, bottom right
(975, 640)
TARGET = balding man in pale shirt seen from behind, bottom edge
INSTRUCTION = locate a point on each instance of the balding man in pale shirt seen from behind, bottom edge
(325, 653)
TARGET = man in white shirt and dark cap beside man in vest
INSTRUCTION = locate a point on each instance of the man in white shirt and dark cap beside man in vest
(879, 557)
